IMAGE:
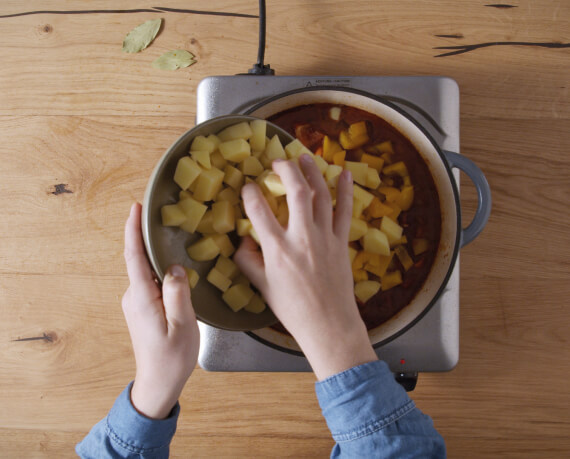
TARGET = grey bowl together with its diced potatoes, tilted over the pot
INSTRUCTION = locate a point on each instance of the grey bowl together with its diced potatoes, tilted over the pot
(193, 214)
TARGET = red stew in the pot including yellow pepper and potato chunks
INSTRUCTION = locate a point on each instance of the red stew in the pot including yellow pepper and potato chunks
(396, 224)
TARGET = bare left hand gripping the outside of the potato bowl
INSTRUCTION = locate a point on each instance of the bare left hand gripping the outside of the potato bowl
(162, 325)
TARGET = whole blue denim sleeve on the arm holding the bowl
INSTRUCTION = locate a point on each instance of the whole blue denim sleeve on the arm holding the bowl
(125, 433)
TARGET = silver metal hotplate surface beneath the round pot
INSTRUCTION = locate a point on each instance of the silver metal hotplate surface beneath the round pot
(430, 345)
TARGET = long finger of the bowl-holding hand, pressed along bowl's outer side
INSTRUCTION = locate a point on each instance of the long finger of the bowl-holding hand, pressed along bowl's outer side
(138, 267)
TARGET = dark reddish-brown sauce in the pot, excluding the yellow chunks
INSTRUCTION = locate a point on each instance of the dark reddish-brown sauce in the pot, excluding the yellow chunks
(423, 220)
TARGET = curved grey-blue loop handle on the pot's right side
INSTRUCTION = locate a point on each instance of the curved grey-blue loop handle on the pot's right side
(483, 195)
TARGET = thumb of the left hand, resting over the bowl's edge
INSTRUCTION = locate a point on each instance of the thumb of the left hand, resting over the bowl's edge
(176, 297)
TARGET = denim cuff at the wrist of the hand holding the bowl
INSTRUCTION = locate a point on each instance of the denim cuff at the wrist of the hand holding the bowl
(134, 431)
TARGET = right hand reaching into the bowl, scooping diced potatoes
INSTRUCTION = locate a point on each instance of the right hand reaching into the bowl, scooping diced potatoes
(304, 271)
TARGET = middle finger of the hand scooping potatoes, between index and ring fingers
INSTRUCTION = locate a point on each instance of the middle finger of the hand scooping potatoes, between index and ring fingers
(299, 194)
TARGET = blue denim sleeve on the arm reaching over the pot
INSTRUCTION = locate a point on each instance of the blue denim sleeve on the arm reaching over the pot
(370, 415)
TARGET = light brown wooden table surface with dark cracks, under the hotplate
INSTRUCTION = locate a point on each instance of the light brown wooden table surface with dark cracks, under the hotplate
(82, 125)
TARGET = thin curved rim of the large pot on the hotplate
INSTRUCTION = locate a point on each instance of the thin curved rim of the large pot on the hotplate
(438, 149)
